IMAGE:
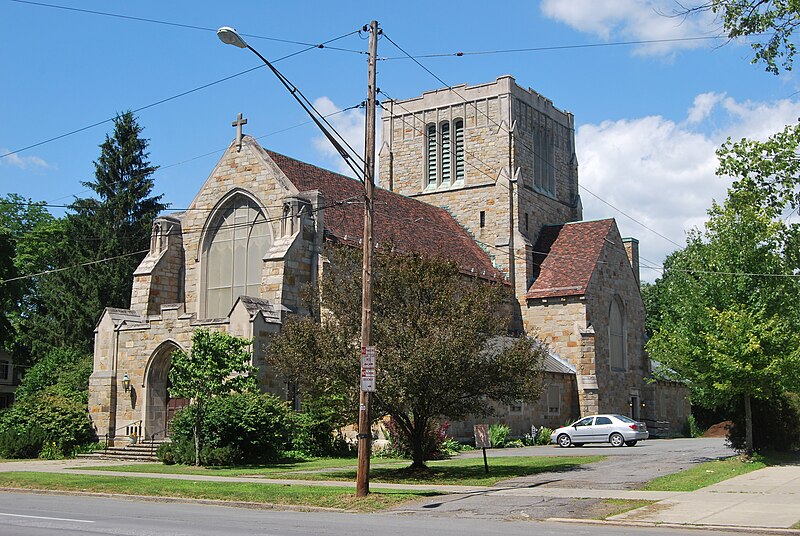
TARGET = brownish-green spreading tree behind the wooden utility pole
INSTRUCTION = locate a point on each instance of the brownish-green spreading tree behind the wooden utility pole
(439, 337)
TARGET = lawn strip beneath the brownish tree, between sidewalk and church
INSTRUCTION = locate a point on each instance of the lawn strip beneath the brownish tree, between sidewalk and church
(461, 471)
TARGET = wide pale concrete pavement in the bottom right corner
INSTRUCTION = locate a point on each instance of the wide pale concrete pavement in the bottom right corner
(767, 498)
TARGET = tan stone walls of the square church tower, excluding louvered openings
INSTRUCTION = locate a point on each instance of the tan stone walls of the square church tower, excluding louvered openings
(481, 201)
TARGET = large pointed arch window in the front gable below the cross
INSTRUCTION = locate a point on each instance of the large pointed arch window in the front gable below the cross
(237, 241)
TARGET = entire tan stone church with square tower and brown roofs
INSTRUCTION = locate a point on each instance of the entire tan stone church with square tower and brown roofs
(485, 175)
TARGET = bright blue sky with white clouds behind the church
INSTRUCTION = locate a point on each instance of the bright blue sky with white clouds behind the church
(648, 116)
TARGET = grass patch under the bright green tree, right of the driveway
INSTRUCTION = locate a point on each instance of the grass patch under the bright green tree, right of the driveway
(709, 473)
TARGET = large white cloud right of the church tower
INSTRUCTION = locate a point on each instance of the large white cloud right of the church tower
(662, 173)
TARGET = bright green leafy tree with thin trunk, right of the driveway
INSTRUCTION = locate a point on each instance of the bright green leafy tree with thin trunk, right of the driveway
(727, 318)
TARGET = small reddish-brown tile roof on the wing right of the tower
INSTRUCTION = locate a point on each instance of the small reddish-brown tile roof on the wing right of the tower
(565, 257)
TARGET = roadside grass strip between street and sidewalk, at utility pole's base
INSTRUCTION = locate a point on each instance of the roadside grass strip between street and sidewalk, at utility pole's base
(310, 496)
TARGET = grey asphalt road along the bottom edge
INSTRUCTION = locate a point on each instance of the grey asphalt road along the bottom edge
(25, 514)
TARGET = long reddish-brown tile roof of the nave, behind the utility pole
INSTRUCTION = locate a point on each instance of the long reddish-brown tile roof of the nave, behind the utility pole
(408, 224)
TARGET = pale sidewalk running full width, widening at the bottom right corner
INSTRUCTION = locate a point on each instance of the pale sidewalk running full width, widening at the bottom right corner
(765, 499)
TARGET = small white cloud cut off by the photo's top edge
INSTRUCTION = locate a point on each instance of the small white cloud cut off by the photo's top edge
(638, 20)
